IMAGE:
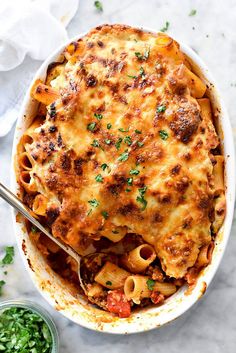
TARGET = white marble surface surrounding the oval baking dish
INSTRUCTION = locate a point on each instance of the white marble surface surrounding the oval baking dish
(210, 326)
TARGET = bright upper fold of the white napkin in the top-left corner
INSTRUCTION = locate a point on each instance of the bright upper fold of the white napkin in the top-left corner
(30, 27)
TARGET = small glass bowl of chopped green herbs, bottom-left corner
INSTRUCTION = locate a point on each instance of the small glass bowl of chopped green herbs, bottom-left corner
(26, 327)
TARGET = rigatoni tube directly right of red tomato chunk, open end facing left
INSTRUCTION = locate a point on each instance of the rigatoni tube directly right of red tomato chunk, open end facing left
(135, 288)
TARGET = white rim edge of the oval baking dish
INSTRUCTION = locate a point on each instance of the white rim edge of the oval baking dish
(133, 326)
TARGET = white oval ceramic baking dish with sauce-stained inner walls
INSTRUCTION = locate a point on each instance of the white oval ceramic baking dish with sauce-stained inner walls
(52, 287)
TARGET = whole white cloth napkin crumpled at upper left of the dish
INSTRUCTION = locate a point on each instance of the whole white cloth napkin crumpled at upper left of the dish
(27, 27)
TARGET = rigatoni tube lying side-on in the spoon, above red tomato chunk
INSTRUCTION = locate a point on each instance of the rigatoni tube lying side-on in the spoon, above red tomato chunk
(111, 276)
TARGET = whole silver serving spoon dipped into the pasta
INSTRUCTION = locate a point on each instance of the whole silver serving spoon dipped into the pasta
(13, 200)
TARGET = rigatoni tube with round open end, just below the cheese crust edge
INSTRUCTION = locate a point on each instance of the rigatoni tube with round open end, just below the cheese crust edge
(139, 258)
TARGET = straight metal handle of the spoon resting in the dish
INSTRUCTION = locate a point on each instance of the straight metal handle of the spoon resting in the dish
(10, 198)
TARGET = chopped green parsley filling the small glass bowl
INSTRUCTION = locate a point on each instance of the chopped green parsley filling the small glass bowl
(23, 330)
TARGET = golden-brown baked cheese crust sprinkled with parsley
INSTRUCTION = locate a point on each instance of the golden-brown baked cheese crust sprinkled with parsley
(126, 111)
